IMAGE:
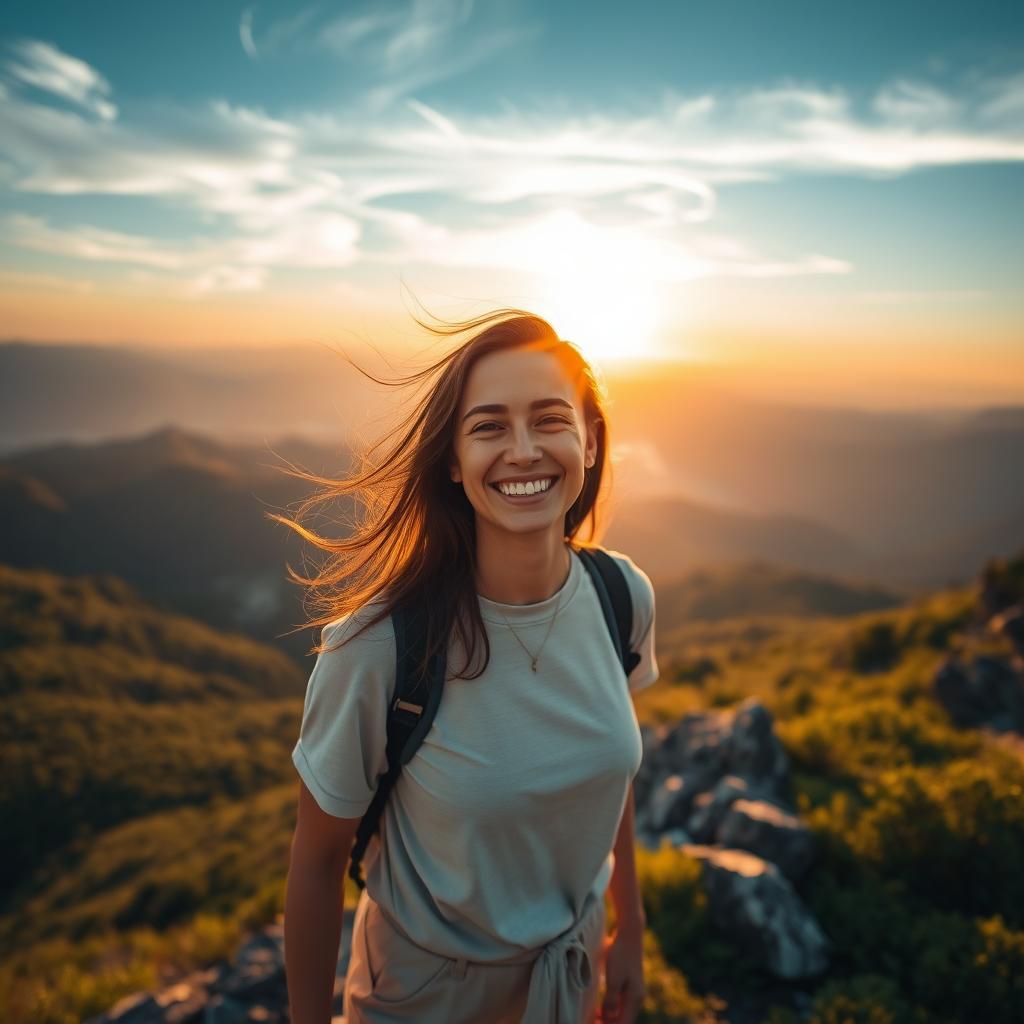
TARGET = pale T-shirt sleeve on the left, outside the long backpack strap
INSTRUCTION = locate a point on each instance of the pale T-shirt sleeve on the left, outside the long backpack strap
(343, 746)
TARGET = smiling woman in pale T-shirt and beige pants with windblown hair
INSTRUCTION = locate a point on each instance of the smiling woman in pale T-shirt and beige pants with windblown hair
(485, 899)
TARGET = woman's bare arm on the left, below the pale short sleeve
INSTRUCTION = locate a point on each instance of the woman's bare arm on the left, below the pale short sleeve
(314, 905)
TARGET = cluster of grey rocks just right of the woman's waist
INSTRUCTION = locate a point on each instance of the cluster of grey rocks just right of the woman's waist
(716, 786)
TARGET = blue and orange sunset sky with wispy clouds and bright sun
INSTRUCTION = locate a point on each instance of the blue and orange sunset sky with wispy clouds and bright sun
(830, 195)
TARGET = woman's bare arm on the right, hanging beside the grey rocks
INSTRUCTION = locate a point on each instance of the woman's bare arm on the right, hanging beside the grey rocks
(624, 951)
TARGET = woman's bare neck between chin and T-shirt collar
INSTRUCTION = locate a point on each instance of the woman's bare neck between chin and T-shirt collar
(521, 569)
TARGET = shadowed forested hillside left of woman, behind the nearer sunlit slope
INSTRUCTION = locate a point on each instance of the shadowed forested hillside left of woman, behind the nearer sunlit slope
(115, 710)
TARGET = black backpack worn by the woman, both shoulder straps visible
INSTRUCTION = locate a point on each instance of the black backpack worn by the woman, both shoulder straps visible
(409, 720)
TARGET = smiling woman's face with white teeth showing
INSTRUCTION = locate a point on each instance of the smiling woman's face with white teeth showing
(522, 443)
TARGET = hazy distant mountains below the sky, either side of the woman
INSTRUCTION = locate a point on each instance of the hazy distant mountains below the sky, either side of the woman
(159, 468)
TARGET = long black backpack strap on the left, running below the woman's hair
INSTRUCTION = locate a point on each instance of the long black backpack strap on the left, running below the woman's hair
(413, 708)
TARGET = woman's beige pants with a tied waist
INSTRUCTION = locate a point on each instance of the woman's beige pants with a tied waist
(393, 979)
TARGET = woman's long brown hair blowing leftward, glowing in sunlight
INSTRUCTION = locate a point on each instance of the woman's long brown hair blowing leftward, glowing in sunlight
(416, 529)
